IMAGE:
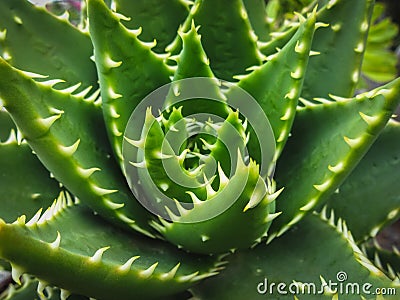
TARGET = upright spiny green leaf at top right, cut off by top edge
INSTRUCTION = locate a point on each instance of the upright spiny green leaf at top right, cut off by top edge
(336, 70)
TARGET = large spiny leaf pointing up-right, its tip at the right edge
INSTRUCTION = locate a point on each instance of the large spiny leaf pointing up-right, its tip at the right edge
(327, 142)
